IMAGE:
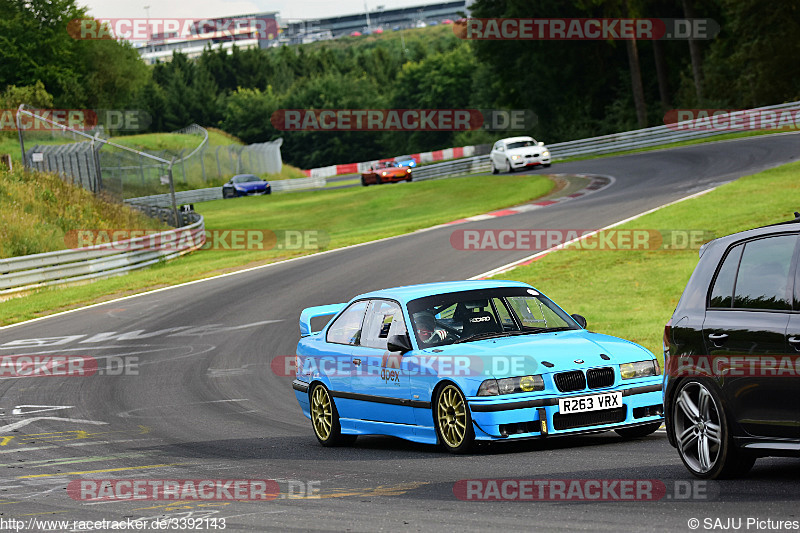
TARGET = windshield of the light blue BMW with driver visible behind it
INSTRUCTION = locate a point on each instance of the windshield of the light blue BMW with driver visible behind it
(473, 315)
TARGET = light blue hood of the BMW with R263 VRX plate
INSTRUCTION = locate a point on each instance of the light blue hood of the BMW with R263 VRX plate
(525, 355)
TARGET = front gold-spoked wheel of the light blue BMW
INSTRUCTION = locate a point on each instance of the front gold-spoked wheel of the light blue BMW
(452, 420)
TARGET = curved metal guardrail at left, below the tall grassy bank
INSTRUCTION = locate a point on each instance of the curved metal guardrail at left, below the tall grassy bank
(104, 260)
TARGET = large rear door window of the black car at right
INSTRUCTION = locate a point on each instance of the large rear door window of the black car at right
(763, 277)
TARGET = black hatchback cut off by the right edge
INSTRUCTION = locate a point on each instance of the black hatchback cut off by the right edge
(732, 354)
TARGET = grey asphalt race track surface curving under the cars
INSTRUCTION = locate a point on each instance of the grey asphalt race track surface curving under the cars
(202, 401)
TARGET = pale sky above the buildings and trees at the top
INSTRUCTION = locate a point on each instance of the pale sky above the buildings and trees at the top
(288, 9)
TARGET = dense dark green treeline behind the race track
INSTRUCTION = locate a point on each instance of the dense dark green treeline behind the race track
(577, 88)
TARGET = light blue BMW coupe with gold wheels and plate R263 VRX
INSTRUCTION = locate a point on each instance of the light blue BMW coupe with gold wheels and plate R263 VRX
(458, 362)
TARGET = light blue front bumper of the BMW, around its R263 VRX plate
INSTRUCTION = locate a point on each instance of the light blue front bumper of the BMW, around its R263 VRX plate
(501, 418)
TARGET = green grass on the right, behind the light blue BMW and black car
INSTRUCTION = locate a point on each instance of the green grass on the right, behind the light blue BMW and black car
(632, 294)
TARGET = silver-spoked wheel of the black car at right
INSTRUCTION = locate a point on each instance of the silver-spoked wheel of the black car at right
(702, 433)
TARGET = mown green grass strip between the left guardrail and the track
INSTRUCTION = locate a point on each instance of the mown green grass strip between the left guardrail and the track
(341, 217)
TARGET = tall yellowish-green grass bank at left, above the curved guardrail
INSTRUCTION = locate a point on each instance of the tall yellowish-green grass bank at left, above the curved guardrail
(39, 210)
